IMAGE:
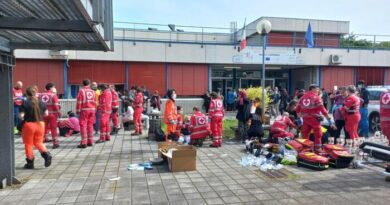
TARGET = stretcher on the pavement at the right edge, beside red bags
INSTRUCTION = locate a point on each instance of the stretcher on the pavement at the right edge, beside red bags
(381, 154)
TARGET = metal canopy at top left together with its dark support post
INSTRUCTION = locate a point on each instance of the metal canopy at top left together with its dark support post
(44, 24)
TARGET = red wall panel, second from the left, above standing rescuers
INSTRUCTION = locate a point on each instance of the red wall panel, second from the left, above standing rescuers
(110, 72)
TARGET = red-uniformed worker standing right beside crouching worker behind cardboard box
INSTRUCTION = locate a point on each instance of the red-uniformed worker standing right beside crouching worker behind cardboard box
(216, 113)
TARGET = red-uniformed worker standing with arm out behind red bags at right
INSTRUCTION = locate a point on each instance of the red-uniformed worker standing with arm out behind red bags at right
(311, 109)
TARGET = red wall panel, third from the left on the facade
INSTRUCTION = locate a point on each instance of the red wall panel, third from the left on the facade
(151, 75)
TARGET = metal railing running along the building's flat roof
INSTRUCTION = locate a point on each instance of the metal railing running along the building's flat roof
(132, 31)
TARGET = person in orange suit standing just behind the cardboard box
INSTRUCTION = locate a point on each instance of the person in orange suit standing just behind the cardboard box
(170, 115)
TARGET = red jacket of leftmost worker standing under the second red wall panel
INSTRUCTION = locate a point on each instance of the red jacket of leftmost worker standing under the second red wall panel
(86, 100)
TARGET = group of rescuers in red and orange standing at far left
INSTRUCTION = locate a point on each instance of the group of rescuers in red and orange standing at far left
(37, 114)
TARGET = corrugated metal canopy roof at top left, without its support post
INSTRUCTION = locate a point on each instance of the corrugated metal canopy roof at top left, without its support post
(57, 24)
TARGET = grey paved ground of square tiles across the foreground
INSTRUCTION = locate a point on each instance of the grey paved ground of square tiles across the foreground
(81, 176)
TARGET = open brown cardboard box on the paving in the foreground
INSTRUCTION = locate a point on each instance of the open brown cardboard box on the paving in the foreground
(183, 159)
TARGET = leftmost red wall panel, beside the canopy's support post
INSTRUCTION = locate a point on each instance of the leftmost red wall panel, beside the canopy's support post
(40, 72)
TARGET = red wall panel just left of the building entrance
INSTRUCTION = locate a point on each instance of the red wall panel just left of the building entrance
(188, 79)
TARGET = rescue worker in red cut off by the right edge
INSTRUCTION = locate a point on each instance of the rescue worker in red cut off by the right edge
(385, 114)
